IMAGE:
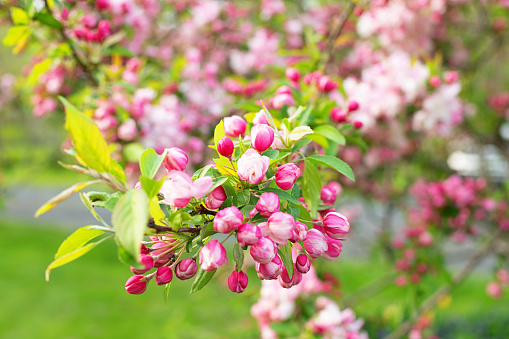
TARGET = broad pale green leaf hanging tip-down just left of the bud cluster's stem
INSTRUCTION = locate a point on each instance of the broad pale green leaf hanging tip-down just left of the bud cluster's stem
(129, 219)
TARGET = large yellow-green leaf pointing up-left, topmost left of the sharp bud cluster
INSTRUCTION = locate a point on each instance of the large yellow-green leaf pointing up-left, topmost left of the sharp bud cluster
(87, 139)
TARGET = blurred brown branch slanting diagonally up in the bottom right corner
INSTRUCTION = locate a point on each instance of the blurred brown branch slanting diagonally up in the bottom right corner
(432, 300)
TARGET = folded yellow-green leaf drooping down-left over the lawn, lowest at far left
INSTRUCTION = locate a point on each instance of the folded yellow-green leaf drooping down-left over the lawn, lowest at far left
(72, 247)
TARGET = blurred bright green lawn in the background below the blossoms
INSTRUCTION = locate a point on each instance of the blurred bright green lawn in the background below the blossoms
(86, 298)
